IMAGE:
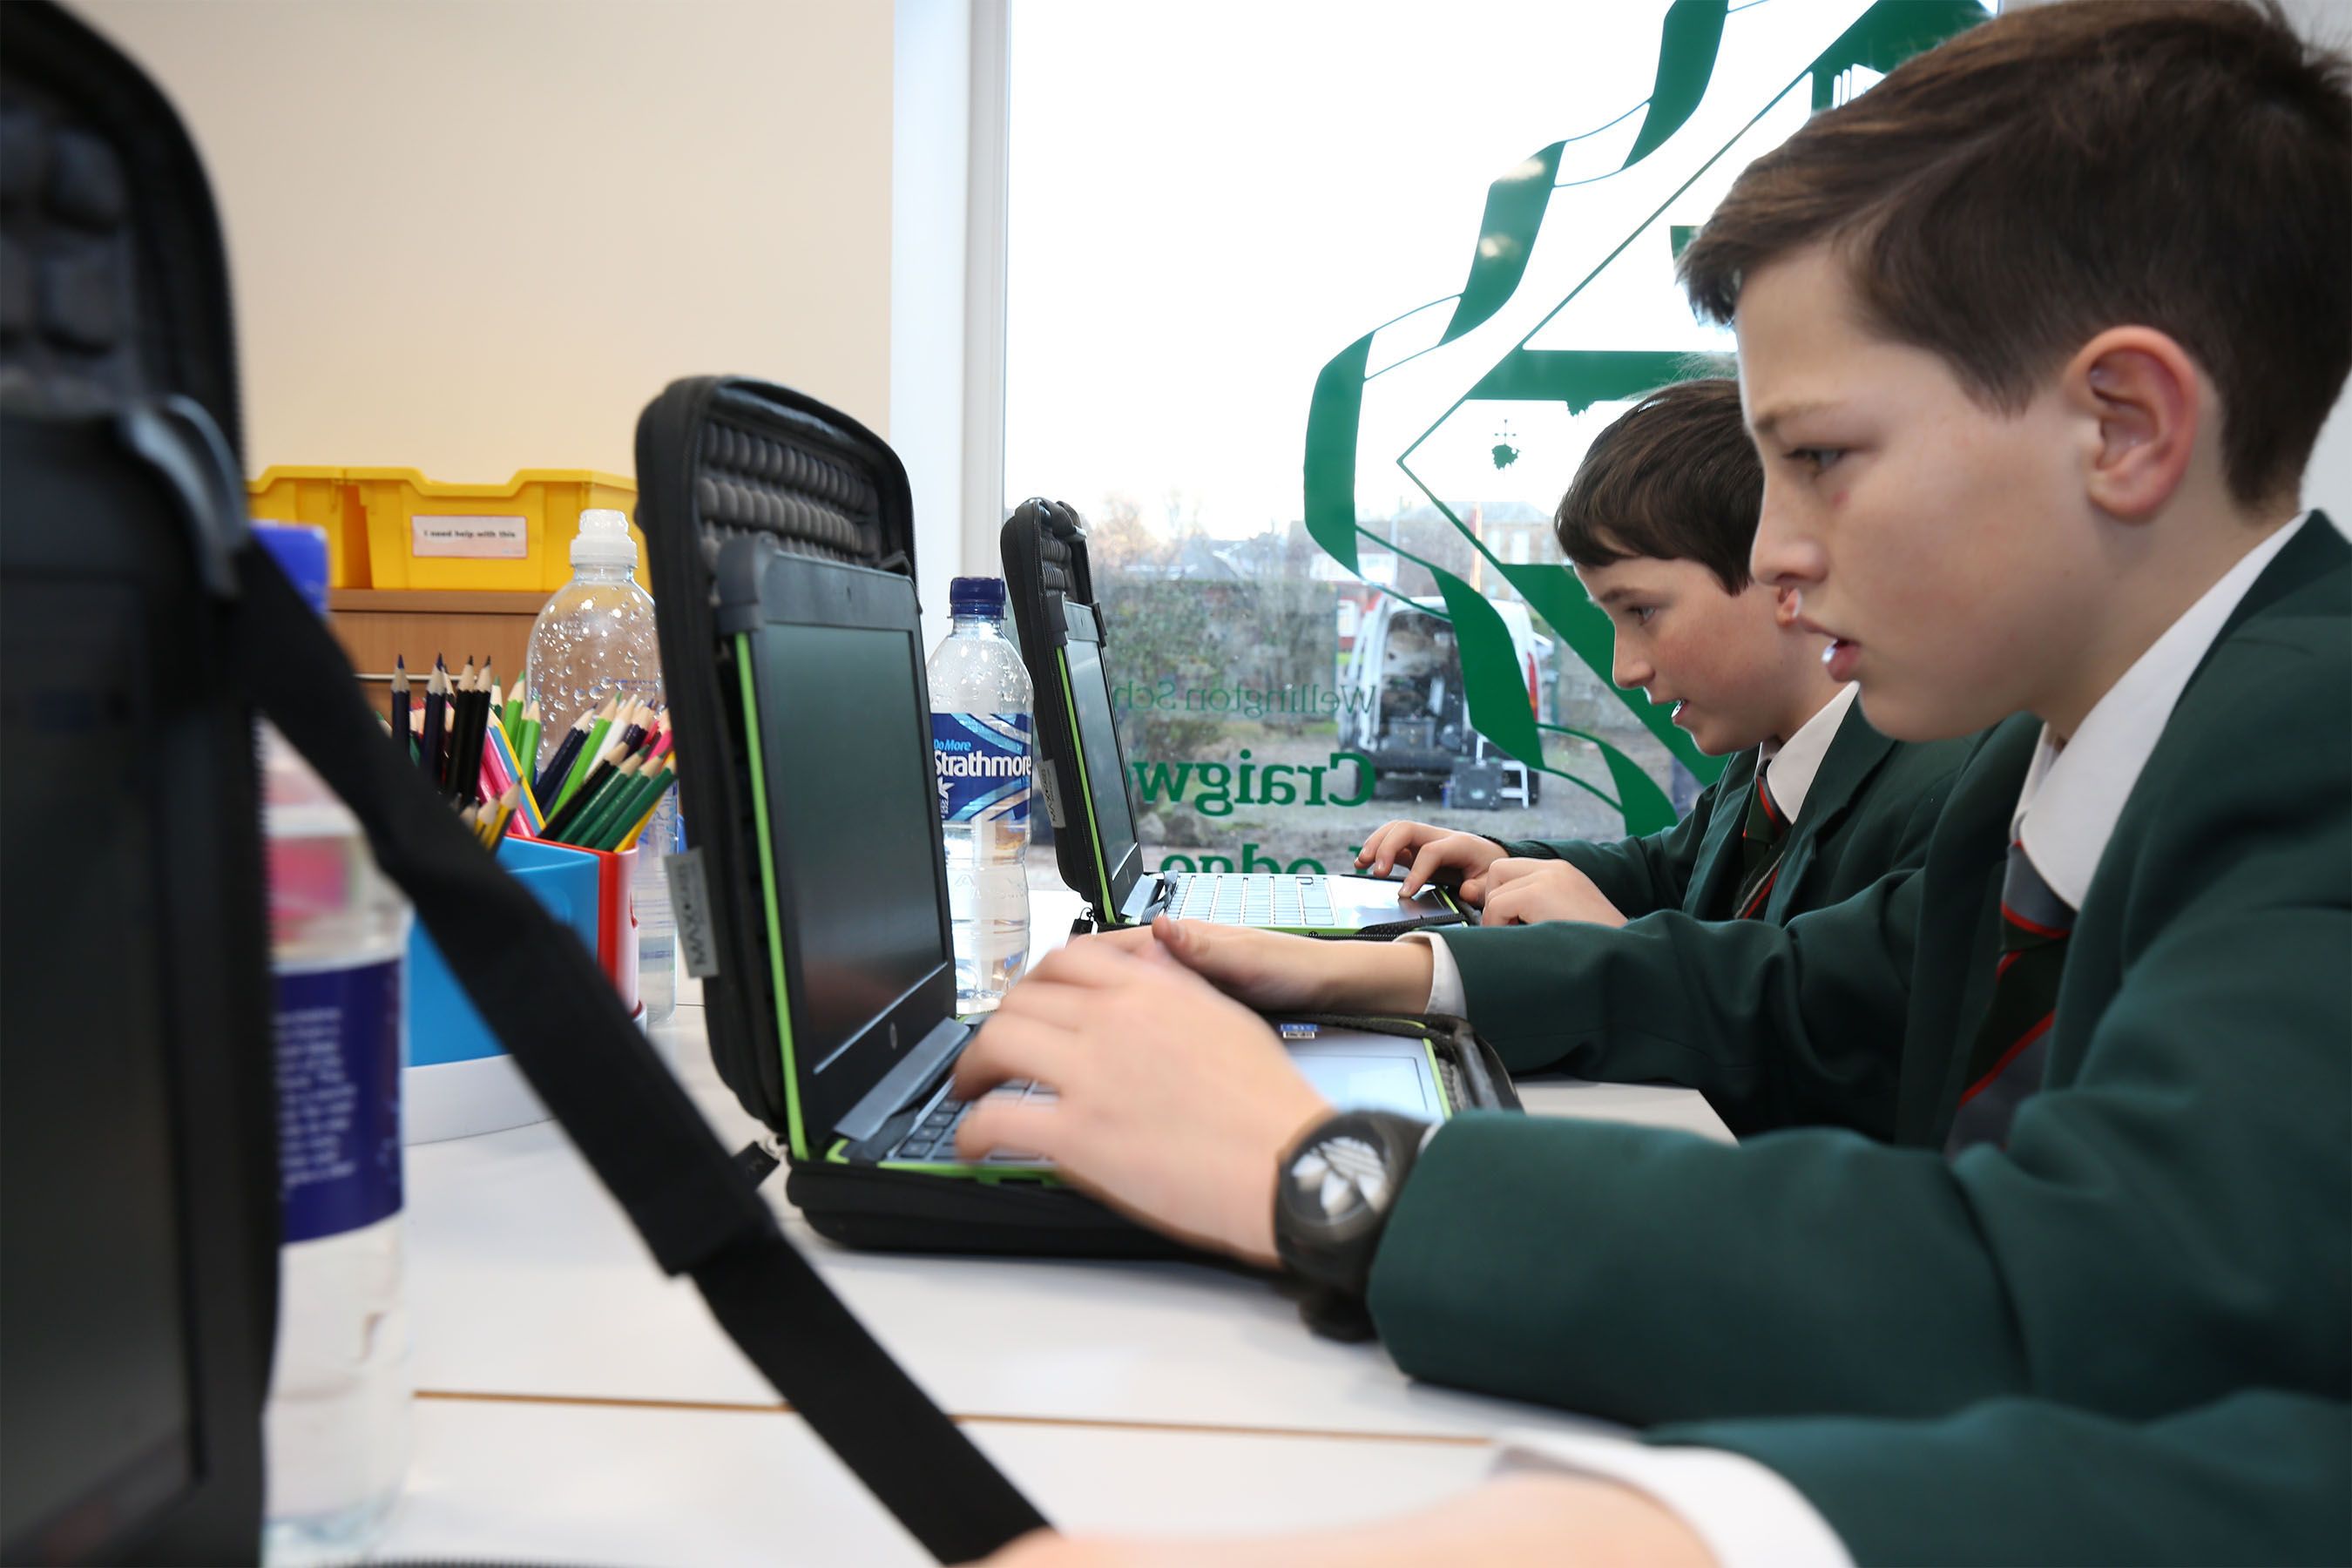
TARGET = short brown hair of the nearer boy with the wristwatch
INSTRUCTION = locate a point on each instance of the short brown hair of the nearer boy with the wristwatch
(2069, 168)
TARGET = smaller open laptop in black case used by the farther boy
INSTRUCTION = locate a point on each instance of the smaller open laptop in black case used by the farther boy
(1085, 779)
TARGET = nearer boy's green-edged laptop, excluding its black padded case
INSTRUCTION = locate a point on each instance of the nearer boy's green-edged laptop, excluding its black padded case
(855, 887)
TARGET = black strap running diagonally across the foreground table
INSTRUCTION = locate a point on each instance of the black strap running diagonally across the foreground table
(552, 1007)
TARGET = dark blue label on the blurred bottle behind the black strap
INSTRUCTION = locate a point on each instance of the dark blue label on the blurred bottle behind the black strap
(338, 1099)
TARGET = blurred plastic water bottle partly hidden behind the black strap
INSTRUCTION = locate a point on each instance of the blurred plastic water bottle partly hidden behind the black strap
(338, 1419)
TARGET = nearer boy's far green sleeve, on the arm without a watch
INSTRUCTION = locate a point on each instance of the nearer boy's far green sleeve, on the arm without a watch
(1777, 1026)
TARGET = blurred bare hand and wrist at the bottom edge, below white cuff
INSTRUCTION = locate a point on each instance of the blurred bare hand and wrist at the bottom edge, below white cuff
(1528, 1517)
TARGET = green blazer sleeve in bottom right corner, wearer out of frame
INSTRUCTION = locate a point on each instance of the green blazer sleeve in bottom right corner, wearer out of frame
(2259, 1477)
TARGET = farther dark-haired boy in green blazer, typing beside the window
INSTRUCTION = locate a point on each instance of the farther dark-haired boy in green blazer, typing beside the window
(1812, 808)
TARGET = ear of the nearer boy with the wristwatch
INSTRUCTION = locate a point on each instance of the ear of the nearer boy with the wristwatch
(2149, 406)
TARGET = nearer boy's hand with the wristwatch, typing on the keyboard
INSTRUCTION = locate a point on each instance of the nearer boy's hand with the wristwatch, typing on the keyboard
(1172, 1104)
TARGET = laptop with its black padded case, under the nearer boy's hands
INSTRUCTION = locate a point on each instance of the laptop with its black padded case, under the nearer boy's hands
(803, 721)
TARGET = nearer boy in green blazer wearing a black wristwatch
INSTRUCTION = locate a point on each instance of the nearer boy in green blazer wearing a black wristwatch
(2036, 342)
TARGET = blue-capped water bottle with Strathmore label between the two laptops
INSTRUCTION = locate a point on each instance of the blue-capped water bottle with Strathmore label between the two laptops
(982, 744)
